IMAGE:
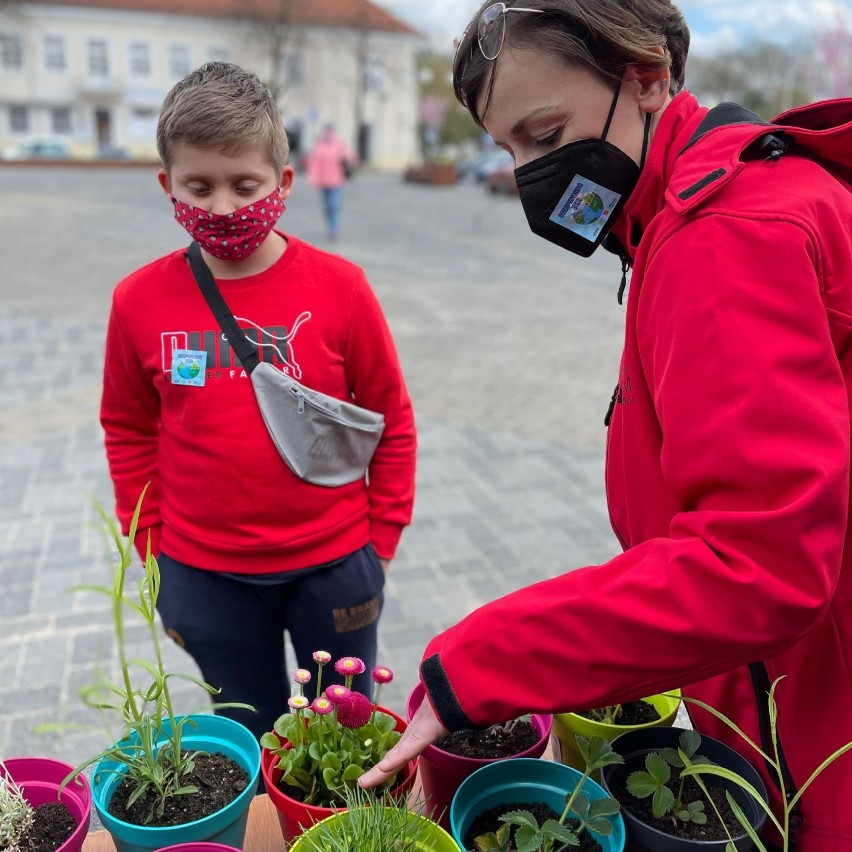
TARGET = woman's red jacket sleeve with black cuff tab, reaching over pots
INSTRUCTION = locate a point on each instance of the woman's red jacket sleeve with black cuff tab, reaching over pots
(752, 409)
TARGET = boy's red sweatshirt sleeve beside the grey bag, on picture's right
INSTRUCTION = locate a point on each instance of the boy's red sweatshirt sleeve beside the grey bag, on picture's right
(375, 376)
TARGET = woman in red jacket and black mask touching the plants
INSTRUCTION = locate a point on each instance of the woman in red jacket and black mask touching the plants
(728, 458)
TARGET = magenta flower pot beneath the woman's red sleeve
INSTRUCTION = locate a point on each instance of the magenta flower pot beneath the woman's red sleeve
(441, 773)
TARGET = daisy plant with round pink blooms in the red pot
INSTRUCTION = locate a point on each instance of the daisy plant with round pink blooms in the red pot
(324, 746)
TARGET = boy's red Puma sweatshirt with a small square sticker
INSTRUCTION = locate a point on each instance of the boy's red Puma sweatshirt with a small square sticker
(222, 498)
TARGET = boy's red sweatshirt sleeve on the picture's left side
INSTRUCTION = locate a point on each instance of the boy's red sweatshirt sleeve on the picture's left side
(130, 416)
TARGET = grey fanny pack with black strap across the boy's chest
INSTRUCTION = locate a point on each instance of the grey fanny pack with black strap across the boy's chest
(323, 440)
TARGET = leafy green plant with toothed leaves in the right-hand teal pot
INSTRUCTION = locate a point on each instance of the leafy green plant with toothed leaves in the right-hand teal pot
(555, 835)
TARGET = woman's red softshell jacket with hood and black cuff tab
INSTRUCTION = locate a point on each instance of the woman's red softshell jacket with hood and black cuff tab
(728, 468)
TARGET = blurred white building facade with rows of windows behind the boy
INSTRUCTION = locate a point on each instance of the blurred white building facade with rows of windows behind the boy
(95, 73)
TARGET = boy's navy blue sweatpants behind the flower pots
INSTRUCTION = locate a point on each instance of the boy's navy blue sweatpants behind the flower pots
(235, 629)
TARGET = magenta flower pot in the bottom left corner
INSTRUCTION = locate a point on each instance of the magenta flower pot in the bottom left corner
(39, 779)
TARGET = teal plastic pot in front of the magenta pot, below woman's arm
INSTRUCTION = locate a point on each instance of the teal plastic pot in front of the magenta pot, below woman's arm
(524, 780)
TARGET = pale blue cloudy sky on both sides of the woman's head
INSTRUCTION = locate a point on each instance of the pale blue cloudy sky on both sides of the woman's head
(714, 24)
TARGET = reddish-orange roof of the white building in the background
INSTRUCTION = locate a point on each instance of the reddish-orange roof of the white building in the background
(328, 13)
